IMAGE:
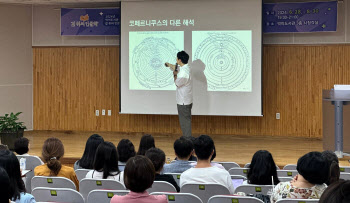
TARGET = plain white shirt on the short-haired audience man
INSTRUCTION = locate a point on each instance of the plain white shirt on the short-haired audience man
(207, 175)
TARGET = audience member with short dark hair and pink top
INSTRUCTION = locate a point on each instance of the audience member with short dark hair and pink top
(138, 177)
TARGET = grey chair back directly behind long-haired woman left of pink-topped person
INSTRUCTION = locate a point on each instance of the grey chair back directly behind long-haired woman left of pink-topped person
(88, 184)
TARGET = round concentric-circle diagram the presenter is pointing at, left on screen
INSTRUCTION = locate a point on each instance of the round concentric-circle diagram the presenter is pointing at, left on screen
(148, 60)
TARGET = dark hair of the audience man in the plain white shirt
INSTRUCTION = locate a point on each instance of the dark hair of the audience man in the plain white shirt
(203, 147)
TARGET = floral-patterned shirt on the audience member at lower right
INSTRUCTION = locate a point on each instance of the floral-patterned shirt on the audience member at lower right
(285, 190)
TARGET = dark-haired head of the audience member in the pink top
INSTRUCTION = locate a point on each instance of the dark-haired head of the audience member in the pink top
(139, 174)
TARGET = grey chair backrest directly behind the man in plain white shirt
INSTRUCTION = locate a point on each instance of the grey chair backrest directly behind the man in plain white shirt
(205, 191)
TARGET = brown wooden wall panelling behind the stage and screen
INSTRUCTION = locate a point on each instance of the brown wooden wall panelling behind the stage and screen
(71, 82)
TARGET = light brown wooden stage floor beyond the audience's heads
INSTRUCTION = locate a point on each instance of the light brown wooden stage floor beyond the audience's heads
(240, 149)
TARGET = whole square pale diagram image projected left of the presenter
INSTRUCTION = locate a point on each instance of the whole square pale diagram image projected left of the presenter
(148, 58)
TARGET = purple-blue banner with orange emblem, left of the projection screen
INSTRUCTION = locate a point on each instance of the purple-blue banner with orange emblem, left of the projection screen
(90, 22)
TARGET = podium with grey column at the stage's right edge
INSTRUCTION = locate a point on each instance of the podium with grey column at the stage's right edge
(336, 121)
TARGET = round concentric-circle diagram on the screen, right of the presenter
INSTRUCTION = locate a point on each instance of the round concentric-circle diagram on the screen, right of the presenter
(227, 61)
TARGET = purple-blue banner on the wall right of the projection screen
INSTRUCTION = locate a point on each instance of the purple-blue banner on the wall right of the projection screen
(300, 17)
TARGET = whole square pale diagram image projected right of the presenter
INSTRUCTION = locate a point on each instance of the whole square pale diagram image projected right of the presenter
(227, 59)
